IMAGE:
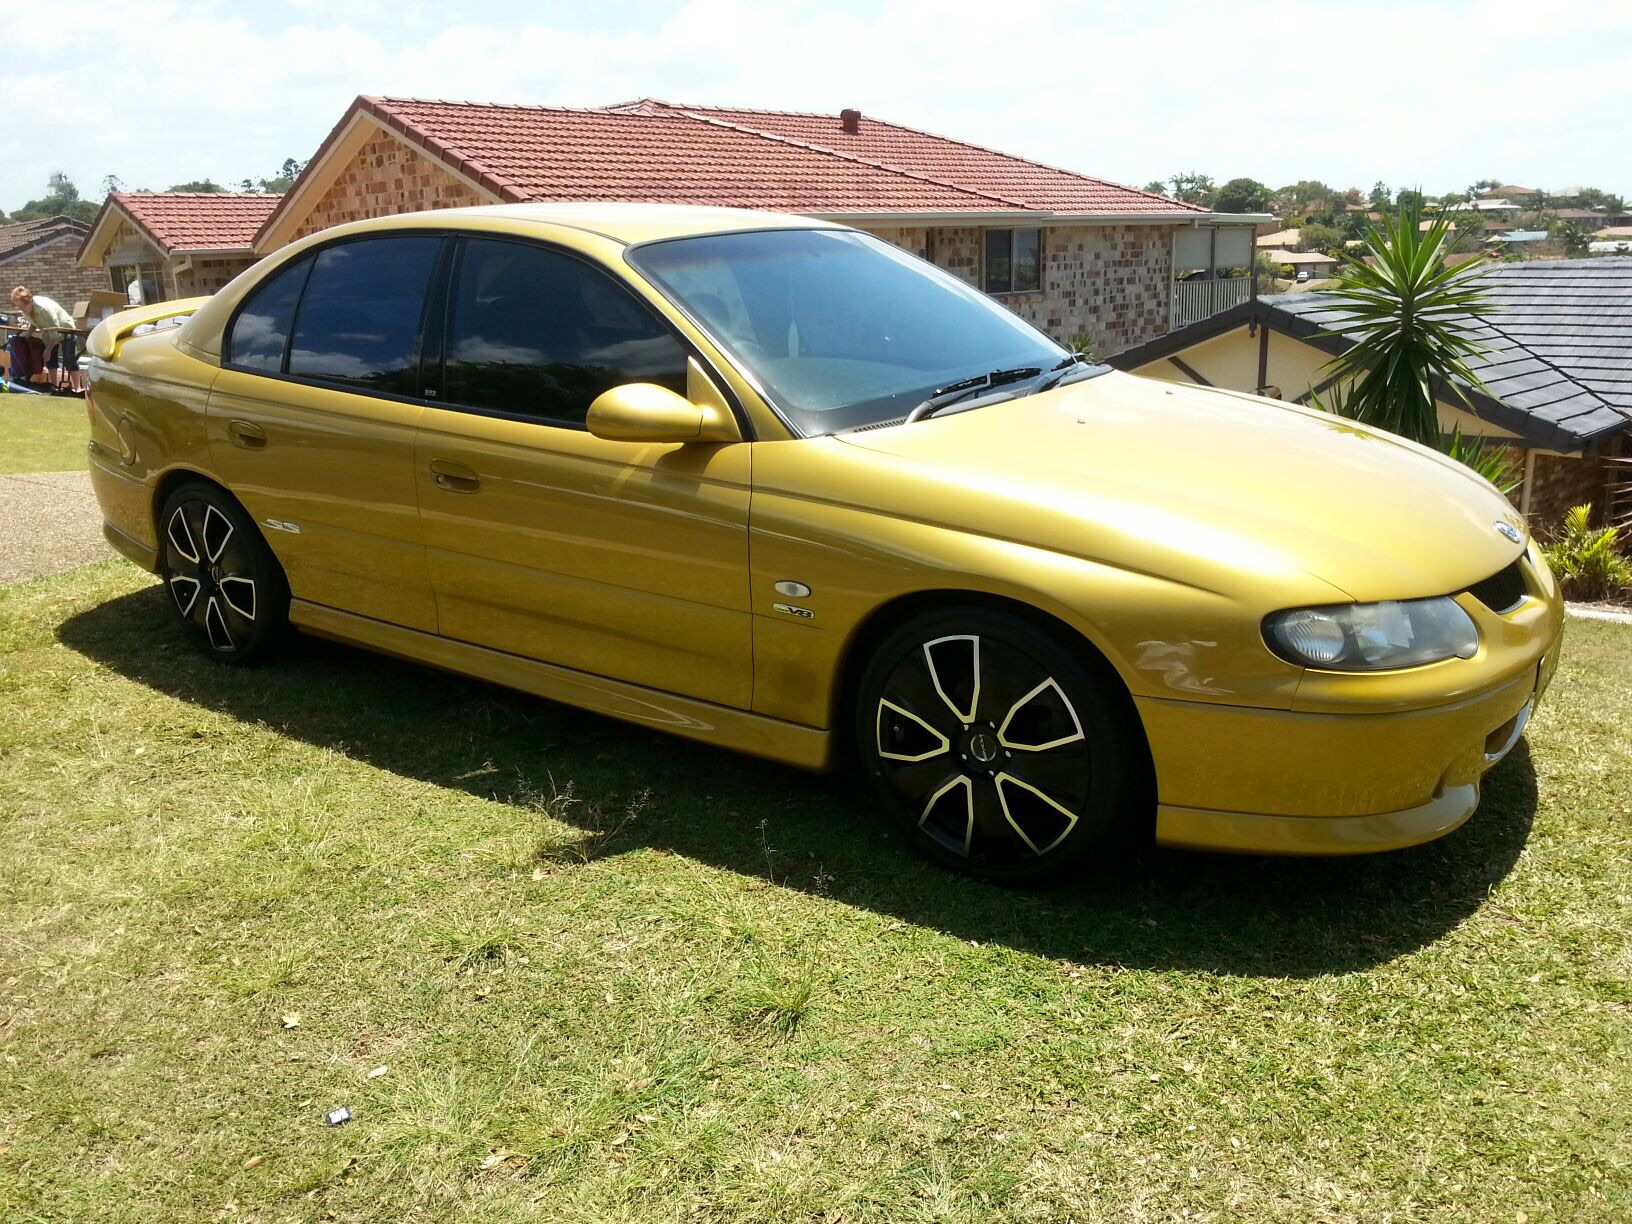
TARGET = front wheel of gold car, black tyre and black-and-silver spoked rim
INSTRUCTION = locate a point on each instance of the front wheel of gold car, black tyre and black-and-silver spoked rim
(1018, 781)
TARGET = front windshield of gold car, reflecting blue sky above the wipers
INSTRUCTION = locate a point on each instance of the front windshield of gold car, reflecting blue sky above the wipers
(840, 329)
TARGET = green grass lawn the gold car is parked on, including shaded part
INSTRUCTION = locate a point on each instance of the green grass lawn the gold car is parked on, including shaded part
(567, 970)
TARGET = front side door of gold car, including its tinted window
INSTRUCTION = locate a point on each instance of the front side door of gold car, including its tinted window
(618, 559)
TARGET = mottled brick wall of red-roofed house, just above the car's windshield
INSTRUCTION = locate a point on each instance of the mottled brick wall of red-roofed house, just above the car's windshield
(1107, 282)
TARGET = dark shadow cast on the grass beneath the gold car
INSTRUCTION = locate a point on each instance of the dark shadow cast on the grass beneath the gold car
(1253, 916)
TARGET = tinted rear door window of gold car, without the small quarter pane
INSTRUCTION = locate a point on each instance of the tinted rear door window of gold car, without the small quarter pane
(360, 316)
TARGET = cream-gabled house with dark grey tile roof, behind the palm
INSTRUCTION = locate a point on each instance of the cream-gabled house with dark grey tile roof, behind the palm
(1556, 363)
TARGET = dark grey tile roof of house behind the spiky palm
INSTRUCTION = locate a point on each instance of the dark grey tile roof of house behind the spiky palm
(1558, 340)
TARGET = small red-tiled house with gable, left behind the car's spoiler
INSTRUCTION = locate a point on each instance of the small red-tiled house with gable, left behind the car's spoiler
(177, 244)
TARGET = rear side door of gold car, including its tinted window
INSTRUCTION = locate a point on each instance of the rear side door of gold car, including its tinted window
(313, 424)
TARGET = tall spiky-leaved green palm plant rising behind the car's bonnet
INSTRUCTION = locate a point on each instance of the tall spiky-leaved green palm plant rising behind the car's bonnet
(1409, 317)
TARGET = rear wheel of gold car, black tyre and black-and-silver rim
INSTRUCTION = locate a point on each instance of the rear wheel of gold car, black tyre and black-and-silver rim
(223, 580)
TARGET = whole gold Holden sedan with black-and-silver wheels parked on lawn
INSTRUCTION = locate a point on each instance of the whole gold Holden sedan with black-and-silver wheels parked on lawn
(783, 487)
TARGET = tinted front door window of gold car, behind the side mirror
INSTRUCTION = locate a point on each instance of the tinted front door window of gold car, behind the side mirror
(541, 335)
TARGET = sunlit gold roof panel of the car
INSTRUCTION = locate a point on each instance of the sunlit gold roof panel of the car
(618, 221)
